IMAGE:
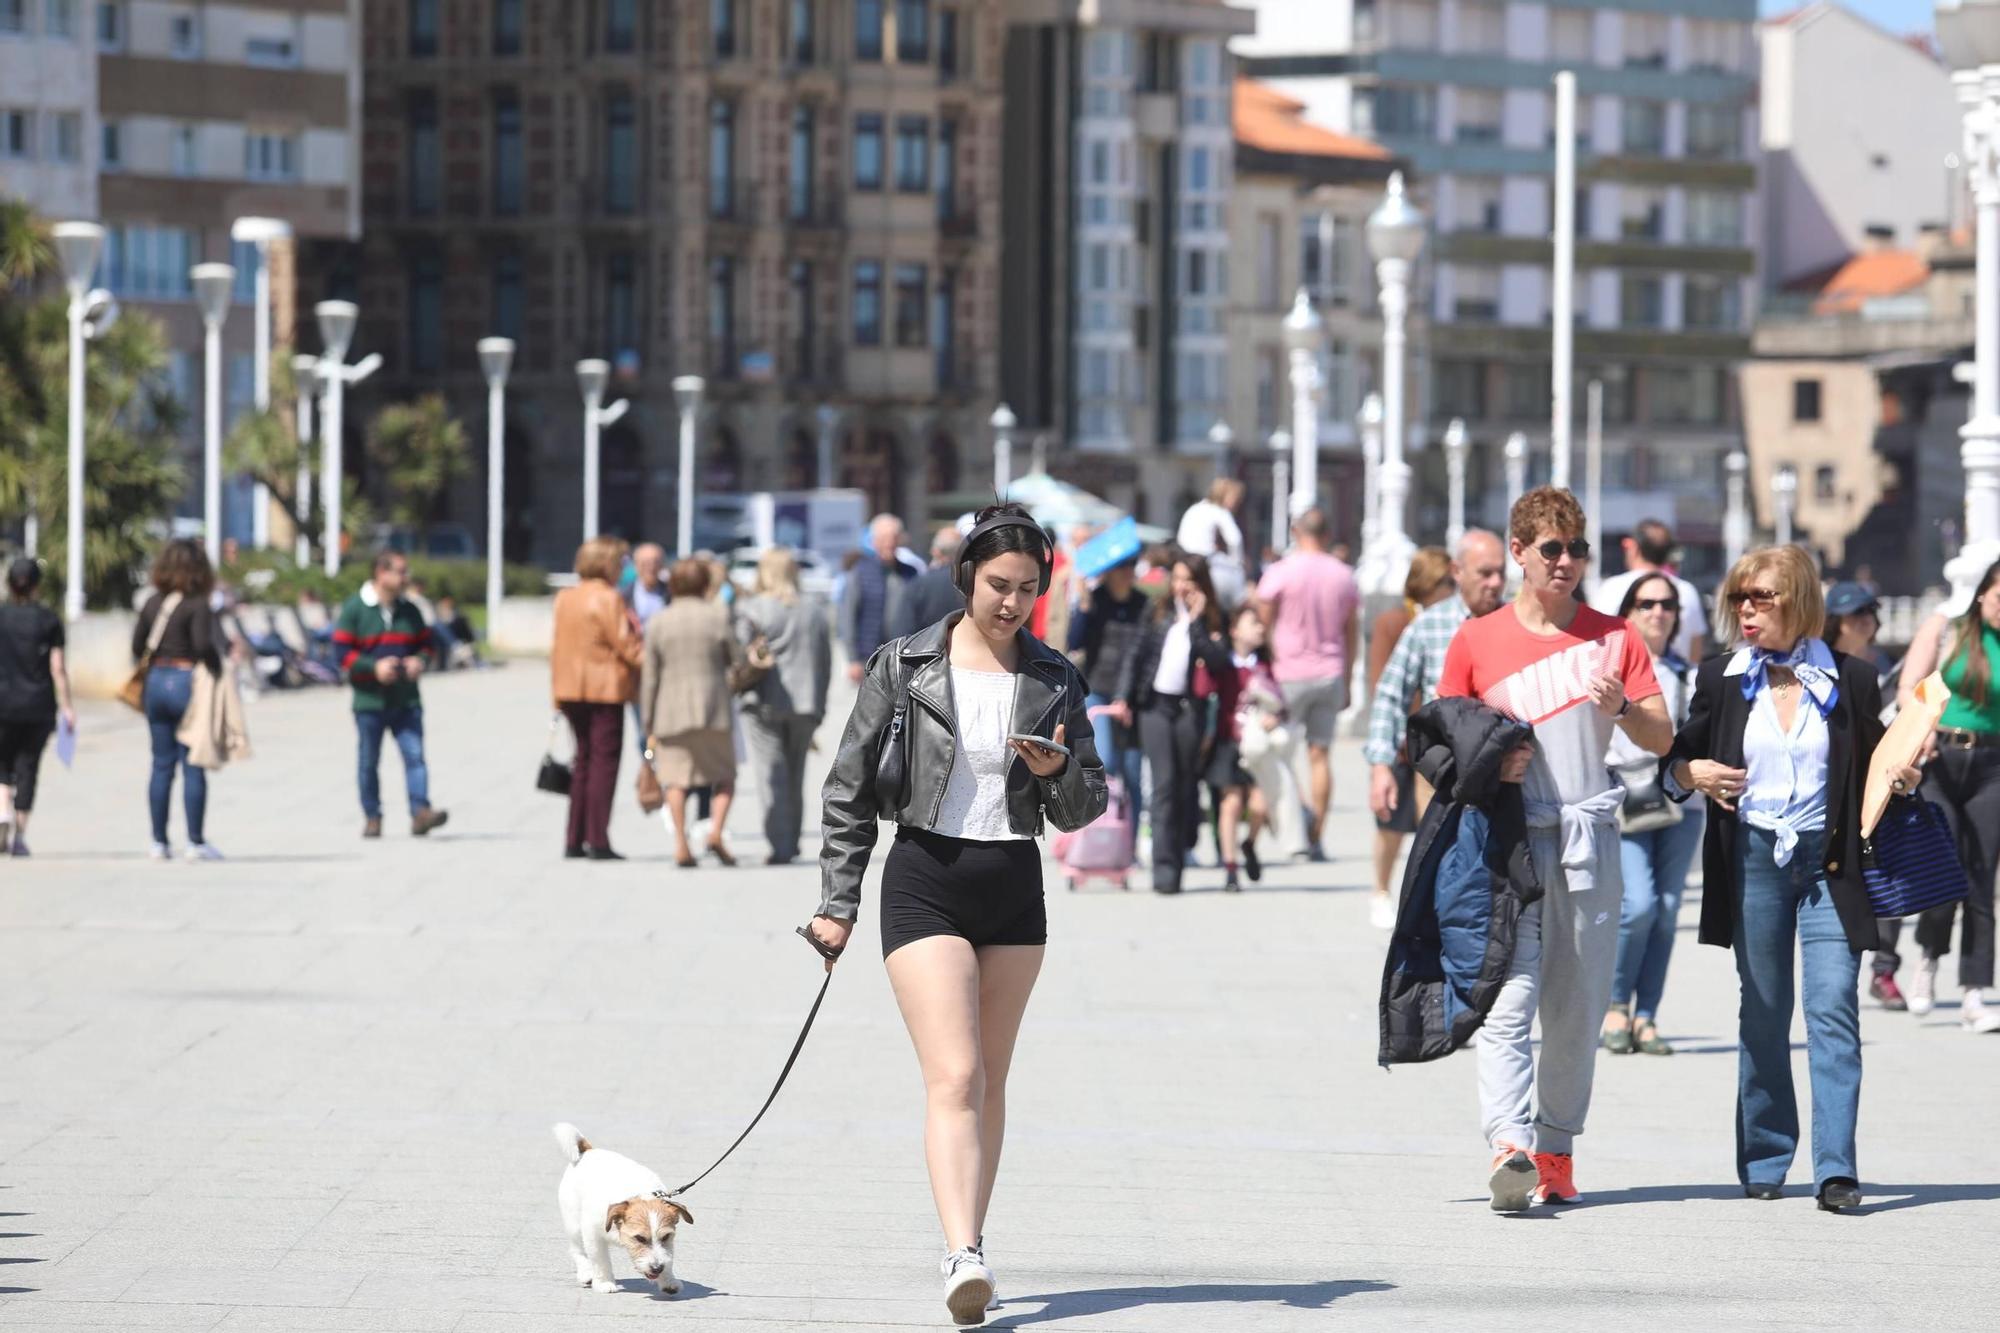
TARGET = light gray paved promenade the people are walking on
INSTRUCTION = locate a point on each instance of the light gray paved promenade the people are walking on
(311, 1090)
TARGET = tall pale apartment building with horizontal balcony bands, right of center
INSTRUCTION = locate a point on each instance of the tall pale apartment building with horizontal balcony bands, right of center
(1667, 215)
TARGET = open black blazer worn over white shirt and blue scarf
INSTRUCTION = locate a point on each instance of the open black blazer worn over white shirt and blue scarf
(1715, 730)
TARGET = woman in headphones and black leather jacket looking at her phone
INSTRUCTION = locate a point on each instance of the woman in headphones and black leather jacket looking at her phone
(933, 744)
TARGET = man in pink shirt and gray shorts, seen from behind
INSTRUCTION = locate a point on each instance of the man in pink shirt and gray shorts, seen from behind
(1313, 607)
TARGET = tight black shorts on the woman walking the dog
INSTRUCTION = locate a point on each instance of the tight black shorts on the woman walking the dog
(987, 894)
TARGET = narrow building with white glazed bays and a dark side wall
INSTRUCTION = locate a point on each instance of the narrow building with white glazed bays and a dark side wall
(1115, 269)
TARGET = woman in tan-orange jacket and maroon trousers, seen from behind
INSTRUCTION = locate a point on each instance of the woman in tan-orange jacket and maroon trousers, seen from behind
(593, 674)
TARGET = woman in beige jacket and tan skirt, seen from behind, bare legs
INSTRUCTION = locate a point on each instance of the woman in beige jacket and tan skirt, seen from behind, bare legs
(685, 704)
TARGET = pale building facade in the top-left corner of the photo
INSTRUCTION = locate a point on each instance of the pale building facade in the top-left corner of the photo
(49, 107)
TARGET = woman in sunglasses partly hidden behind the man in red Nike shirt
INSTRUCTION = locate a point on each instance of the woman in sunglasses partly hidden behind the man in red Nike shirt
(1657, 838)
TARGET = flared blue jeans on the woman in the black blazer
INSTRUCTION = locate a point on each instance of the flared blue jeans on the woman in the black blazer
(1775, 908)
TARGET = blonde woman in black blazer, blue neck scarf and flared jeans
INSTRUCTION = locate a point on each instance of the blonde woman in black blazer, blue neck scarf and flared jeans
(1779, 740)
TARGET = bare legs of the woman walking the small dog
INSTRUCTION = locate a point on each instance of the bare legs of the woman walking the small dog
(963, 1012)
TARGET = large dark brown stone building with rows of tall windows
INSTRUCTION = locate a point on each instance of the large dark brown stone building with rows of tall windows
(793, 199)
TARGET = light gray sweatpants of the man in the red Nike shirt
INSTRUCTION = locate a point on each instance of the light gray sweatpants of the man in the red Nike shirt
(1563, 966)
